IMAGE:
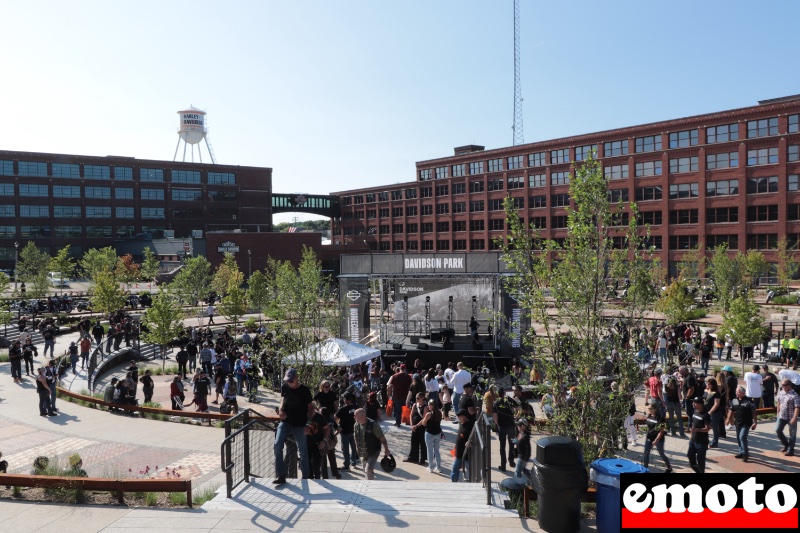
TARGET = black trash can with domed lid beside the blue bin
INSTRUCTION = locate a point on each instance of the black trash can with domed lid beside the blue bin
(559, 478)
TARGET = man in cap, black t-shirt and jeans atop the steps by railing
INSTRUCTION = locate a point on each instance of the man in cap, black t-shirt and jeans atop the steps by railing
(297, 407)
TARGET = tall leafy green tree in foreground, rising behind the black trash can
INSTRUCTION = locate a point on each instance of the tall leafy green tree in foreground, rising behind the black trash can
(576, 284)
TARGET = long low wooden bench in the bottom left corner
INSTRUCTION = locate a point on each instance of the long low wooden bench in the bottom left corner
(117, 486)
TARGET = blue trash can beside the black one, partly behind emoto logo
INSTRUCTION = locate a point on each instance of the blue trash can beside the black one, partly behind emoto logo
(605, 473)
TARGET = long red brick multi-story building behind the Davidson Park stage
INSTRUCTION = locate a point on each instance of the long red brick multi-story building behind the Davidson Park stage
(727, 177)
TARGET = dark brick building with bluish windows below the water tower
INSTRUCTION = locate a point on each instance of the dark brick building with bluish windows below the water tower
(56, 200)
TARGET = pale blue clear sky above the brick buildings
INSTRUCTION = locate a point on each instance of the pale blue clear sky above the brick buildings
(338, 95)
